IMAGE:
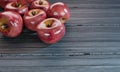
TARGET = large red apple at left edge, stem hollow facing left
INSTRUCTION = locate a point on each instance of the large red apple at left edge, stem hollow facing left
(11, 23)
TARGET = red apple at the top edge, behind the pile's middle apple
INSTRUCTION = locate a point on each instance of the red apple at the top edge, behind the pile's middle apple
(41, 4)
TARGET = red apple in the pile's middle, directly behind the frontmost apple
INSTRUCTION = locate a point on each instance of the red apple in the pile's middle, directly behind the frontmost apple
(33, 17)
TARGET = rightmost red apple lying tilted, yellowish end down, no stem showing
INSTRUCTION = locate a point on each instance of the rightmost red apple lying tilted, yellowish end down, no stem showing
(60, 11)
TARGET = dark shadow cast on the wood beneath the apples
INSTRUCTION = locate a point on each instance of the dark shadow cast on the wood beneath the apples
(26, 42)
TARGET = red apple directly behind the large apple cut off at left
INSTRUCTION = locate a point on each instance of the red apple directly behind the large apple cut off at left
(17, 7)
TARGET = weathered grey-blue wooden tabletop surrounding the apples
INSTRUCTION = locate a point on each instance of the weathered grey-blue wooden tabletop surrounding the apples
(91, 43)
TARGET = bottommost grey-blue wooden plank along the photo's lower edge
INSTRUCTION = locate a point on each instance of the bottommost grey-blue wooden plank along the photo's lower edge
(62, 69)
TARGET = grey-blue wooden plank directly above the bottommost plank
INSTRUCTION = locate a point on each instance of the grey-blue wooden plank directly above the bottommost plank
(60, 62)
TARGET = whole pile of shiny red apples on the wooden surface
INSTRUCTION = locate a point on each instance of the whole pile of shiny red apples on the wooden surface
(46, 19)
